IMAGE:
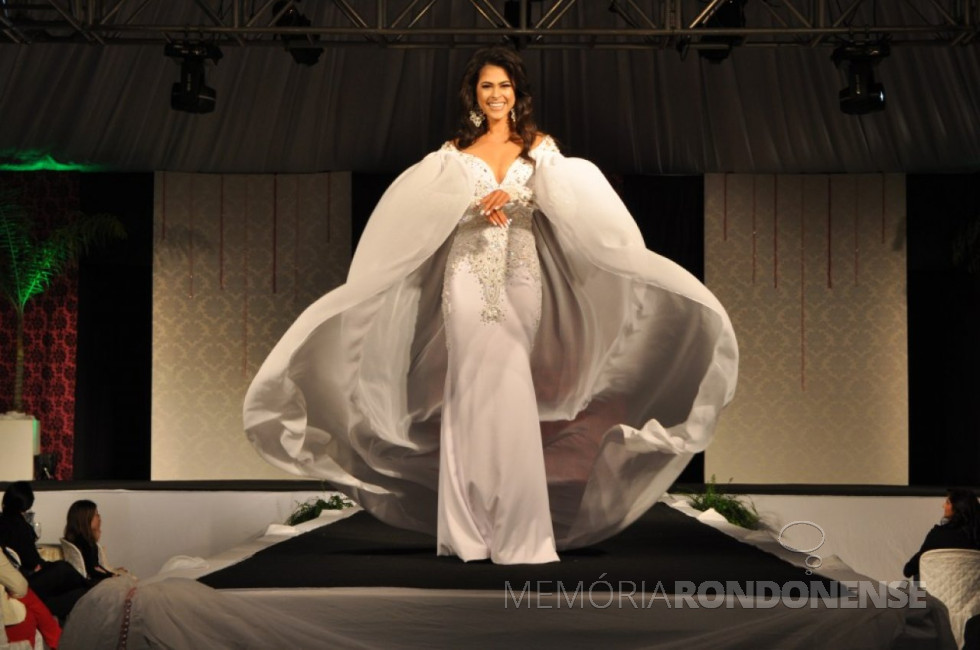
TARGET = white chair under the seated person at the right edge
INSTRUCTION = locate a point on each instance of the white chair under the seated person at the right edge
(952, 575)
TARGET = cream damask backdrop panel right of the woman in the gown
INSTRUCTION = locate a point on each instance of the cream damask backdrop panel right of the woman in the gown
(812, 271)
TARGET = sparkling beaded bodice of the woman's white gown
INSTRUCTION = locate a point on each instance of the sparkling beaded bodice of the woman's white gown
(492, 253)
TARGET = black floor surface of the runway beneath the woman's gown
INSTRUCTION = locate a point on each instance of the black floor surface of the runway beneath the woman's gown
(663, 546)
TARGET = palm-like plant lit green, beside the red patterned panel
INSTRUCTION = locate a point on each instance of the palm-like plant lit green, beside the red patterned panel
(30, 262)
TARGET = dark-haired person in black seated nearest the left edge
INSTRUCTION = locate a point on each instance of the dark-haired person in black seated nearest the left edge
(57, 584)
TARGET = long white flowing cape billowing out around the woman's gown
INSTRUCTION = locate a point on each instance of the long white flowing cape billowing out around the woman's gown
(633, 362)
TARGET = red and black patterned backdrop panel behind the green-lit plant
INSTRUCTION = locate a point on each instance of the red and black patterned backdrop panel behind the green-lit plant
(50, 326)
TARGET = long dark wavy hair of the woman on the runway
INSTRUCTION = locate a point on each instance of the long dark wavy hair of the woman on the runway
(522, 129)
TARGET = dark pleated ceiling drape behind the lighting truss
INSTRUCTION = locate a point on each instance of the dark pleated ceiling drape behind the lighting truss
(763, 110)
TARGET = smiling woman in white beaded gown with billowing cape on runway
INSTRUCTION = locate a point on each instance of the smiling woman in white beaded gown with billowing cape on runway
(507, 366)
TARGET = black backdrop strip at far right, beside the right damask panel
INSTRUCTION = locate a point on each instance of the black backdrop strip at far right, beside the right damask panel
(943, 331)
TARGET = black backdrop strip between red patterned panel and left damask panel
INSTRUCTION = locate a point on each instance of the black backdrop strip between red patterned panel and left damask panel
(115, 311)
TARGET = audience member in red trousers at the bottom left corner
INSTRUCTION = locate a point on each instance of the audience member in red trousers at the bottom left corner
(23, 612)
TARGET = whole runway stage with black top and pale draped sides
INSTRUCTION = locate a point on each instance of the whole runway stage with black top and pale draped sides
(356, 582)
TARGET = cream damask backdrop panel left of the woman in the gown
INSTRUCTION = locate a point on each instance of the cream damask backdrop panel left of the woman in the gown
(236, 259)
